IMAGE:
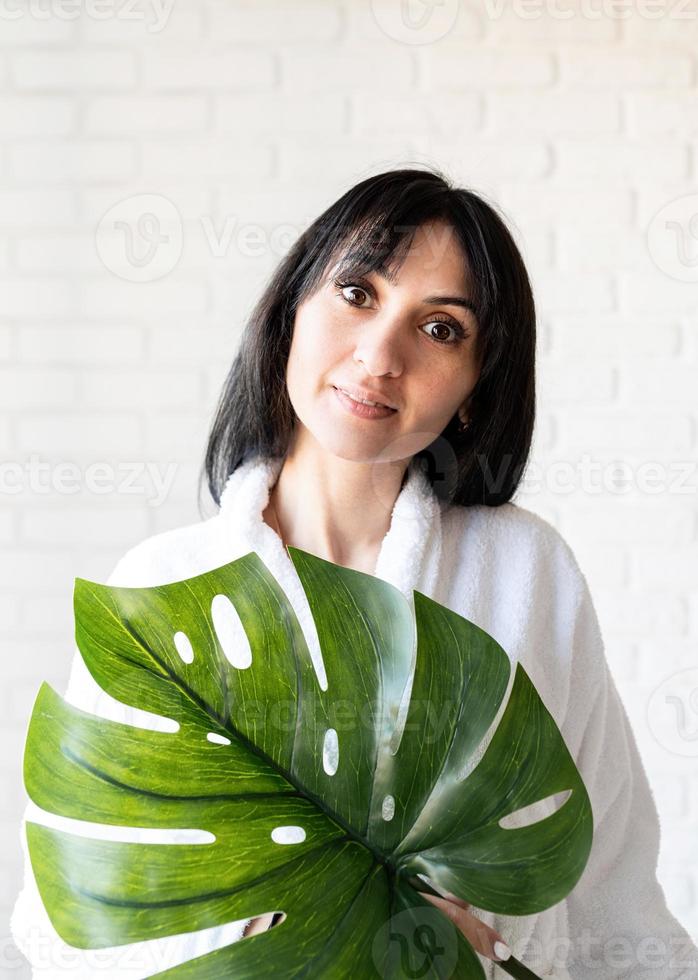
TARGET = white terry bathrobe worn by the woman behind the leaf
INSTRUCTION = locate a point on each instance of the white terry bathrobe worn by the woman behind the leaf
(512, 574)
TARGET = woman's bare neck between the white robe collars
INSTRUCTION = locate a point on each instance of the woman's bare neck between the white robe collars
(332, 507)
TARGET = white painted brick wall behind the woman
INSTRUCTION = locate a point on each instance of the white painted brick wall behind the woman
(250, 117)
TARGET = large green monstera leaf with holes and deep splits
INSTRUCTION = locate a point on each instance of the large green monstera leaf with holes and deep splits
(370, 786)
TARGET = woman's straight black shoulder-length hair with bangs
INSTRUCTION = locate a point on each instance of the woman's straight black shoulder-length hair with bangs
(369, 226)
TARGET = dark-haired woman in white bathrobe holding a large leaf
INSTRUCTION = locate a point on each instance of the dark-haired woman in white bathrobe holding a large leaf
(379, 414)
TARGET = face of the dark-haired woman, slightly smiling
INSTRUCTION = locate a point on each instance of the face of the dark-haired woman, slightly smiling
(410, 341)
